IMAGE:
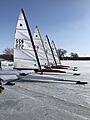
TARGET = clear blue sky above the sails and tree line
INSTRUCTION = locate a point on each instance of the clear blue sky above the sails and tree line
(67, 22)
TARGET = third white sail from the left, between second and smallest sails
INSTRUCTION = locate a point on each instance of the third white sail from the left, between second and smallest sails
(48, 51)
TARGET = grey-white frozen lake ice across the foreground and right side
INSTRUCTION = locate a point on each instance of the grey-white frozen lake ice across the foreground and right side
(48, 101)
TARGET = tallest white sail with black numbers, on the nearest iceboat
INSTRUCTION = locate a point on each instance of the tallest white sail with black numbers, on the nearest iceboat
(24, 56)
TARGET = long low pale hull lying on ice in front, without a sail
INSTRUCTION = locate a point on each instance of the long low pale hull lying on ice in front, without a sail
(39, 78)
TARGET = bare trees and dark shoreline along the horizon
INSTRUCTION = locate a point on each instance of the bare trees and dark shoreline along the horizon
(8, 55)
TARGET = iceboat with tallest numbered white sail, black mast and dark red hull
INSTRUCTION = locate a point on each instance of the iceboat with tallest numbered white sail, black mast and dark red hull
(25, 53)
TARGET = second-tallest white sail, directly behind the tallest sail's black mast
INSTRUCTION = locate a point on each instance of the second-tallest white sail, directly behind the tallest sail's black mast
(39, 45)
